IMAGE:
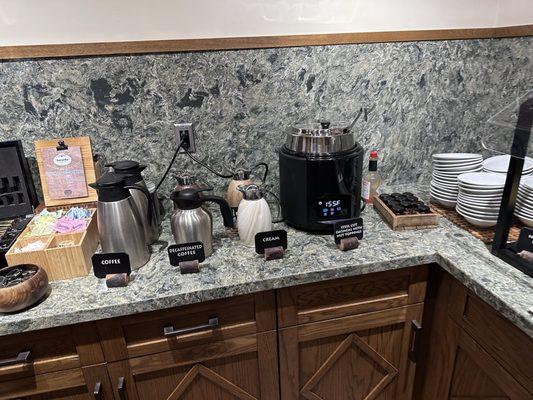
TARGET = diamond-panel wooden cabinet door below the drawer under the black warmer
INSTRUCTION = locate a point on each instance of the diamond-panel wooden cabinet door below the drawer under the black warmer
(367, 356)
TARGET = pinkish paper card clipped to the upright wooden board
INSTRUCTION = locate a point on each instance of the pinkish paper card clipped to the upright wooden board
(64, 172)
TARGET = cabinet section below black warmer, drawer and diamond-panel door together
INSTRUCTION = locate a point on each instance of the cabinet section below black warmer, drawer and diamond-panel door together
(352, 338)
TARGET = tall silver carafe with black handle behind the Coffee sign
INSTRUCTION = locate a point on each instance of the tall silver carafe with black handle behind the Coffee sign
(119, 222)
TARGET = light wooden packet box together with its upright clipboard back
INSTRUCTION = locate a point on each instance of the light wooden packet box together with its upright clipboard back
(69, 261)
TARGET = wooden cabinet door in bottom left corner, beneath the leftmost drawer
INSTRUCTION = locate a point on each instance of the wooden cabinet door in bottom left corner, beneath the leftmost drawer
(88, 383)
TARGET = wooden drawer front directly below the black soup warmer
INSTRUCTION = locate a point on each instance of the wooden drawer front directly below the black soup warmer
(351, 296)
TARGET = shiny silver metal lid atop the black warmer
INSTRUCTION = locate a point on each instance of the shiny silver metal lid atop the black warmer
(320, 138)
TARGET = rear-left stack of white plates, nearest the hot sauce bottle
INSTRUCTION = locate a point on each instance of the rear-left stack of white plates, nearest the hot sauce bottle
(446, 168)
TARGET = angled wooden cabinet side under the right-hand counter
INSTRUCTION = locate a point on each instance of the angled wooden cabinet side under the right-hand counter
(471, 351)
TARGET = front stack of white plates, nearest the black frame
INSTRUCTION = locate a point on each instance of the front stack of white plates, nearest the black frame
(480, 196)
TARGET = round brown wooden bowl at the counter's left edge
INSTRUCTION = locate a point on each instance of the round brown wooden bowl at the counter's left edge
(26, 293)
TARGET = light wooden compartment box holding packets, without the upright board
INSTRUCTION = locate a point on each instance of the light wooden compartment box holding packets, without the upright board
(59, 262)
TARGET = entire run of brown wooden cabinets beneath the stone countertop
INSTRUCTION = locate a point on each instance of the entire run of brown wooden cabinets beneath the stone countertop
(344, 339)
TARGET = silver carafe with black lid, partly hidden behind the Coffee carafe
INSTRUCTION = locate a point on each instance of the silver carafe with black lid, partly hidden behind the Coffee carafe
(132, 171)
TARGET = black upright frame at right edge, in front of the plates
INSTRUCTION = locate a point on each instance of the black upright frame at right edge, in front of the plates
(500, 246)
